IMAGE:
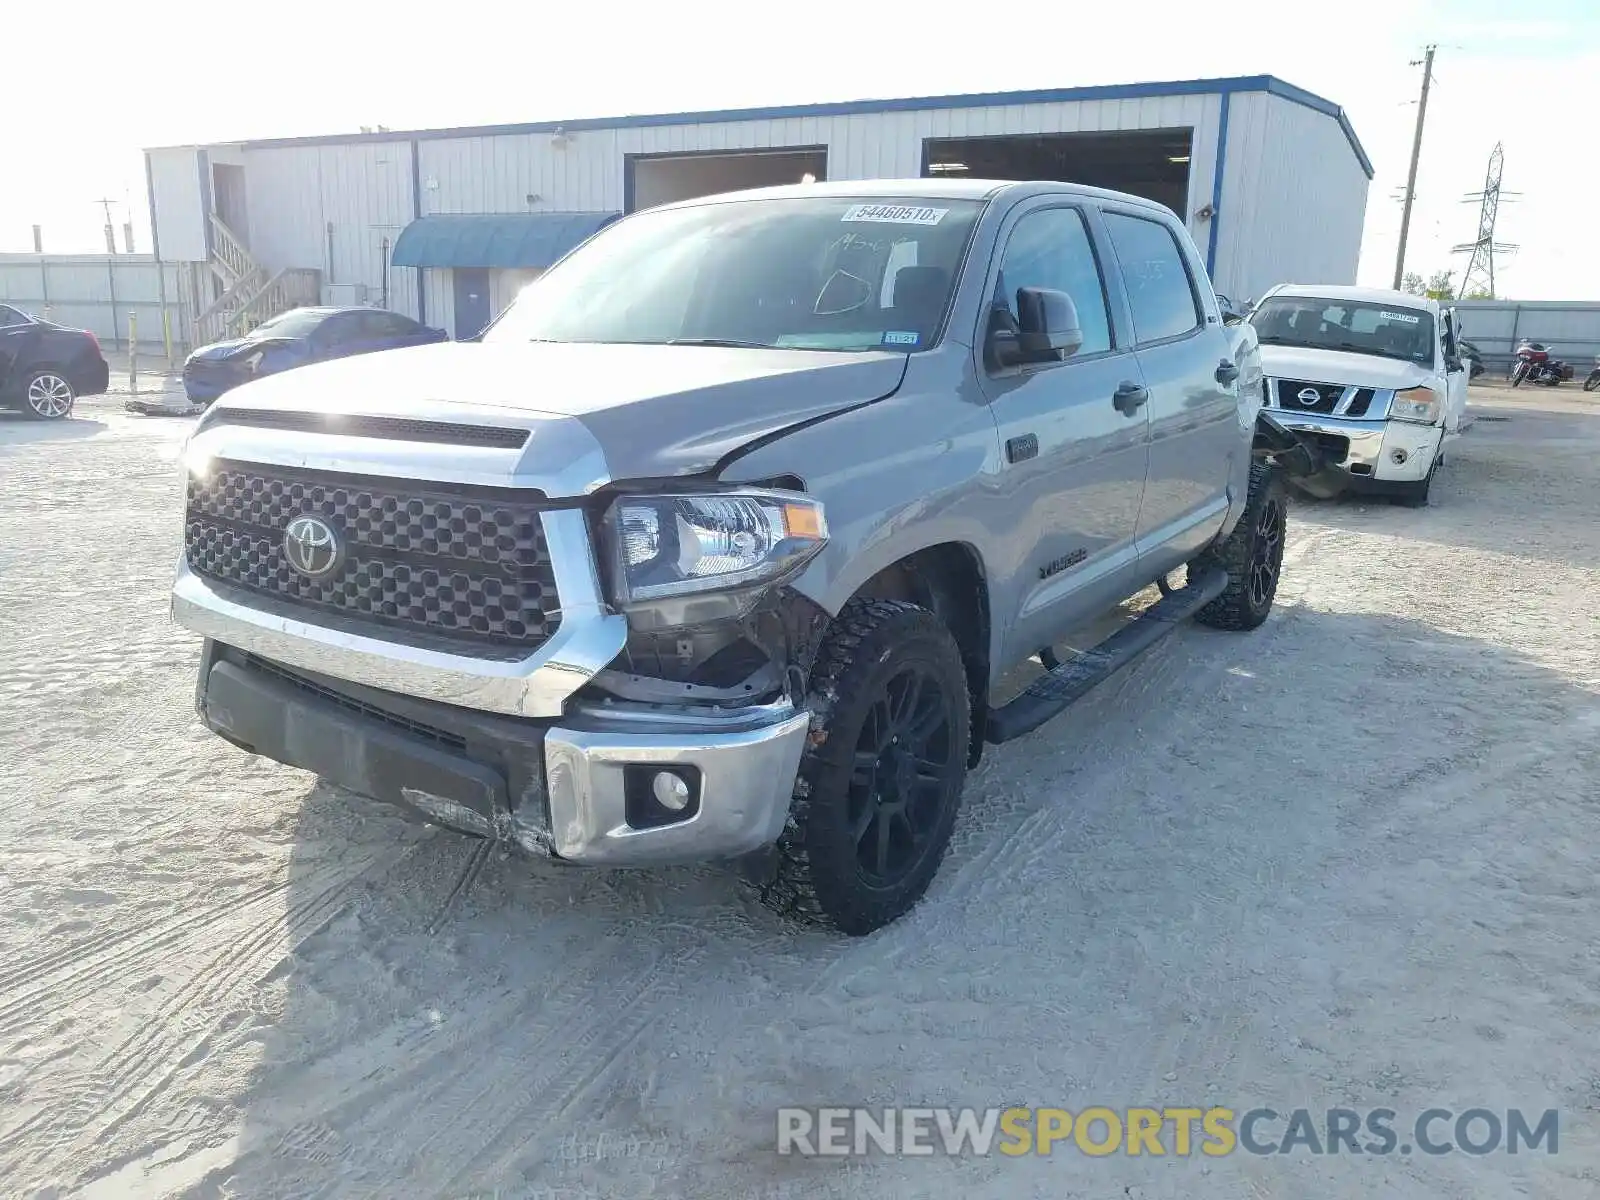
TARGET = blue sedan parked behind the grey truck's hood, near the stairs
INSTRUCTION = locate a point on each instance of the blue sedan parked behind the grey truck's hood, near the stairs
(294, 340)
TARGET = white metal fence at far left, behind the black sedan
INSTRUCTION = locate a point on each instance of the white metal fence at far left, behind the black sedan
(102, 292)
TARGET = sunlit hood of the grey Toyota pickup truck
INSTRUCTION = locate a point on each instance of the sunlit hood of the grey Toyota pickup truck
(655, 410)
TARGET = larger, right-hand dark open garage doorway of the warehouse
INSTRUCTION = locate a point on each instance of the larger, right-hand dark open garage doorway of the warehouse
(1153, 164)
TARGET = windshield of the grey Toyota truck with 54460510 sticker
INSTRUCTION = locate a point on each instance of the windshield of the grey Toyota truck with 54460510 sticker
(804, 274)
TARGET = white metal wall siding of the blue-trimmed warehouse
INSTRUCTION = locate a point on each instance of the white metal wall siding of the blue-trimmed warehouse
(1294, 199)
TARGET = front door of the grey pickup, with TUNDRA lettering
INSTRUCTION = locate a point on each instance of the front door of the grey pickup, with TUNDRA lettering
(1073, 441)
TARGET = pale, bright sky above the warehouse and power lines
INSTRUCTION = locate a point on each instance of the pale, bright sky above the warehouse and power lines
(183, 73)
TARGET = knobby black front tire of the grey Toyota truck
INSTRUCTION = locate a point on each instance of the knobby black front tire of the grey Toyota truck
(817, 876)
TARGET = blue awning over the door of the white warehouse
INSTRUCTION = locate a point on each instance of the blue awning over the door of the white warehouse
(494, 239)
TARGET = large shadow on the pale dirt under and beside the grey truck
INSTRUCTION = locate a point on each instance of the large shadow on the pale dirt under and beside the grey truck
(1170, 882)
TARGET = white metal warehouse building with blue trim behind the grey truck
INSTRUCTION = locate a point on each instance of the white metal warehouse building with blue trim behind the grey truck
(446, 225)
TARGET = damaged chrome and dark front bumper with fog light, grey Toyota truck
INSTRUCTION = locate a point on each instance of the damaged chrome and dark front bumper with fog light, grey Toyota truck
(582, 790)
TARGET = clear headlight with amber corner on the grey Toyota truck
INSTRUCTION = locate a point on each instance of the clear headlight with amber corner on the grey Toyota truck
(670, 546)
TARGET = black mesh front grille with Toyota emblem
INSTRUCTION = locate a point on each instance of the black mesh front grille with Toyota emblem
(468, 566)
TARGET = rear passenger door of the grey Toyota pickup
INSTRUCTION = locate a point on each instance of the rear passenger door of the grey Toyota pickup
(1194, 386)
